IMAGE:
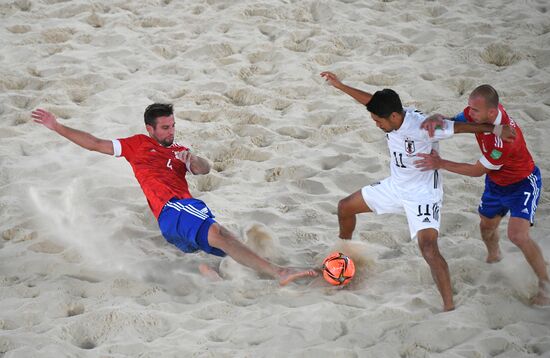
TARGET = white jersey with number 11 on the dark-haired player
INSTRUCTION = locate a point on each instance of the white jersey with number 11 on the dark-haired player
(409, 182)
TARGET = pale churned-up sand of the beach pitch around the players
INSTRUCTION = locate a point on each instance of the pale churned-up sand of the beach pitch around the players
(84, 271)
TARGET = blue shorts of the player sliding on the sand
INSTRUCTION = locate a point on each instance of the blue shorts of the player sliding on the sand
(185, 223)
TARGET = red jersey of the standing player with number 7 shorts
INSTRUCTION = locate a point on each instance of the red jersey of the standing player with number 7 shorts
(509, 162)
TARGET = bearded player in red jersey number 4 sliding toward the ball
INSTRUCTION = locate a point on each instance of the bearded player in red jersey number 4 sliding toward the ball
(160, 167)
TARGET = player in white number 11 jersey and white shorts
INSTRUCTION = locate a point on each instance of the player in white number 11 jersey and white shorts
(408, 189)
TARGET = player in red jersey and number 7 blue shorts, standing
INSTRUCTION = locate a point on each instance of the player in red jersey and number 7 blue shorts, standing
(512, 184)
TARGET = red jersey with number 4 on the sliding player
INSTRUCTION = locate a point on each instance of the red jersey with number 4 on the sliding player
(160, 175)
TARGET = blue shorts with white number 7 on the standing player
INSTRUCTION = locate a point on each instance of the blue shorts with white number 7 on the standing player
(520, 198)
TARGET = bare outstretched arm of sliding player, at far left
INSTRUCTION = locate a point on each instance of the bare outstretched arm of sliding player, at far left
(83, 139)
